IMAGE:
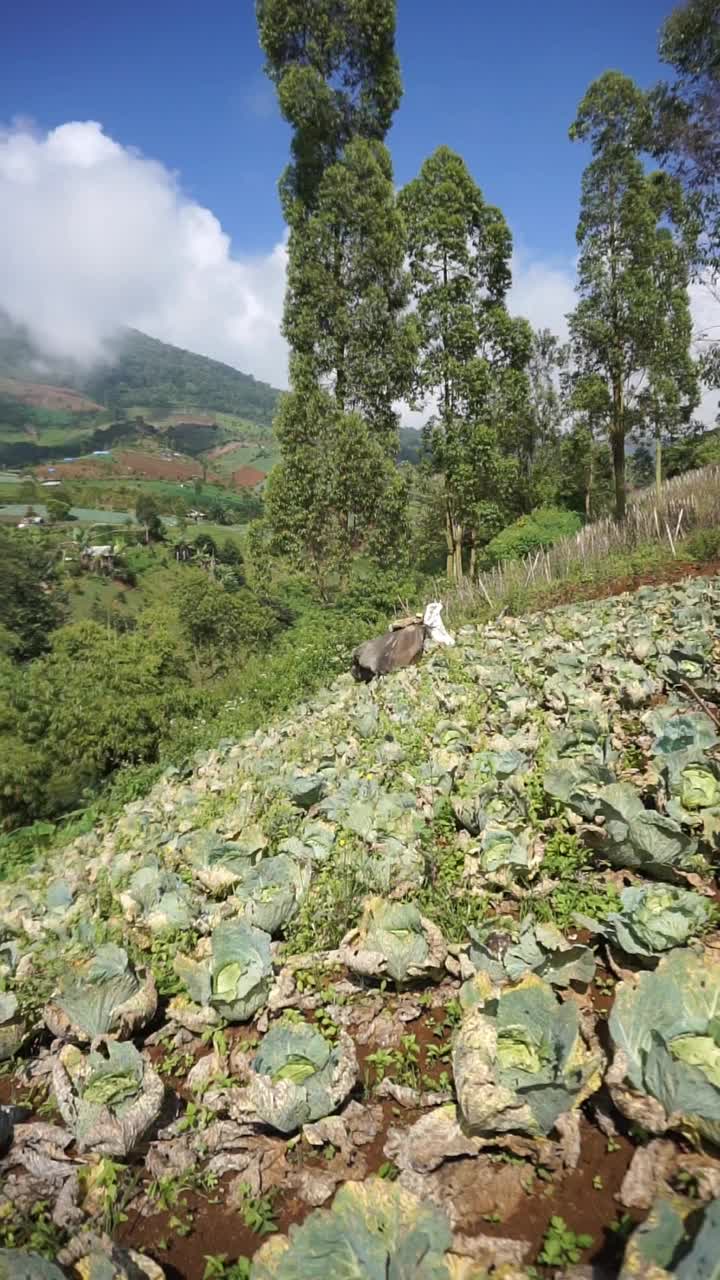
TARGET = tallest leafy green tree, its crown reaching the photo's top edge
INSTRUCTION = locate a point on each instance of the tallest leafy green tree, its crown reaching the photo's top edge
(336, 491)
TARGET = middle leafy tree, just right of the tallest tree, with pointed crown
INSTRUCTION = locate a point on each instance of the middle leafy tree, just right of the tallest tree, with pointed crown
(472, 353)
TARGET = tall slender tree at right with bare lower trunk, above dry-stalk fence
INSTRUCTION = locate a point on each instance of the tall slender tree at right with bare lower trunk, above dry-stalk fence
(631, 331)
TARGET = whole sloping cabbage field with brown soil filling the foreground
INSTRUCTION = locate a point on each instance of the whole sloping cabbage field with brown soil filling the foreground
(420, 982)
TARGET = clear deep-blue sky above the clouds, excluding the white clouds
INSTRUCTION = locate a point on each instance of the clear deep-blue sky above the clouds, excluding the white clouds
(184, 84)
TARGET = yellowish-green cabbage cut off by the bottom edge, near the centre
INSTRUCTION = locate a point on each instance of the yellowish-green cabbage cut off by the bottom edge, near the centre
(375, 1231)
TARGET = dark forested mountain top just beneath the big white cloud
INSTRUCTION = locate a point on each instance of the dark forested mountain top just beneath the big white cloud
(143, 371)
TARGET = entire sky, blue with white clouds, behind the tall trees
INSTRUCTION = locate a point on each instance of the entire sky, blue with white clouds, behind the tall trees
(143, 148)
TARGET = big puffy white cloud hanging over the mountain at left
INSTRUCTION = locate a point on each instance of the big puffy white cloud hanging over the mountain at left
(95, 236)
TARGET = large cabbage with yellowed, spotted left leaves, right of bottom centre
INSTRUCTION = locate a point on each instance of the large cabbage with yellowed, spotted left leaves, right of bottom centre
(521, 1062)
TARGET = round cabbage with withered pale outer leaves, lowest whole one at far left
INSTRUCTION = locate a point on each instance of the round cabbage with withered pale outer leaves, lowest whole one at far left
(110, 1098)
